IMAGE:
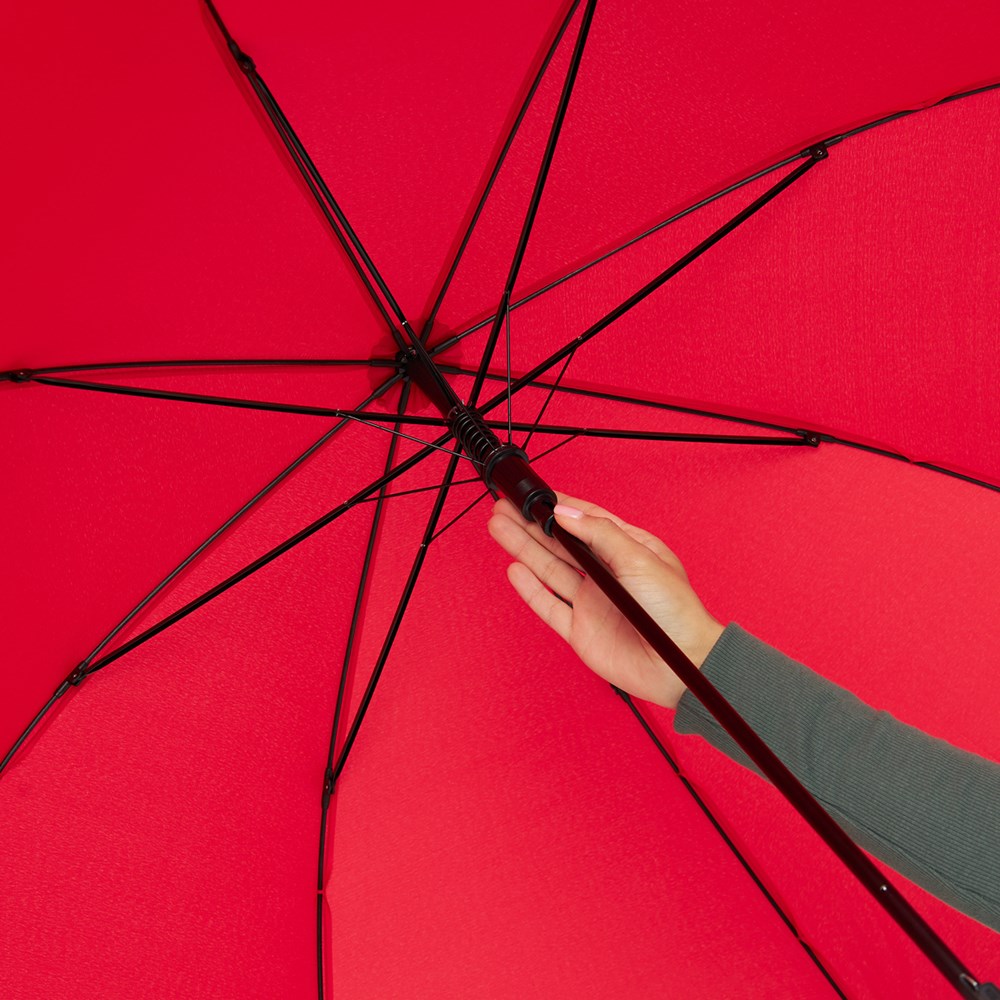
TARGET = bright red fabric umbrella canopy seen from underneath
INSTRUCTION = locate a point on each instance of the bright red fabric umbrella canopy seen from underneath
(501, 826)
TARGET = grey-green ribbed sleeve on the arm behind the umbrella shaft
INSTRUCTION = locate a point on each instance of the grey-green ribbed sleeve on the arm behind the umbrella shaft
(921, 805)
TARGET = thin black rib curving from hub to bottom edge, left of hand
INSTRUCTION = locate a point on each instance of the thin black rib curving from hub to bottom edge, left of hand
(361, 594)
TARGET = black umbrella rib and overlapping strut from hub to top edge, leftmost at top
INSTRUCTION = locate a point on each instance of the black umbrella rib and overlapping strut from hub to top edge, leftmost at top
(332, 213)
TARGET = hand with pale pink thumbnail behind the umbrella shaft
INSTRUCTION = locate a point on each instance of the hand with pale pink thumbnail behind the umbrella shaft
(585, 617)
